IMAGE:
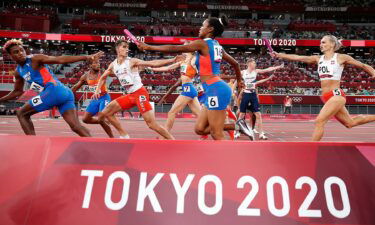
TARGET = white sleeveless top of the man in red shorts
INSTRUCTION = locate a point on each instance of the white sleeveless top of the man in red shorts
(129, 79)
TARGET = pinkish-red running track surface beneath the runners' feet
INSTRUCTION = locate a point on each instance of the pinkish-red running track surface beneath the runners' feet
(277, 130)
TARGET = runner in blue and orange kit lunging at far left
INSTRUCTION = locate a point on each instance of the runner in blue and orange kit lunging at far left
(34, 70)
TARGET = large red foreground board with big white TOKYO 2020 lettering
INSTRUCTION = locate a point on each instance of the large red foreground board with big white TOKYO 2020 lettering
(83, 181)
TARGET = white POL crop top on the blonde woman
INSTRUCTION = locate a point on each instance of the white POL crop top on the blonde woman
(330, 69)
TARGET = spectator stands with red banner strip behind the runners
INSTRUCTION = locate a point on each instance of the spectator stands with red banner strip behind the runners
(89, 26)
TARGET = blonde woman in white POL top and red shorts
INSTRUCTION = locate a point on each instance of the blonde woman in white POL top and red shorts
(330, 68)
